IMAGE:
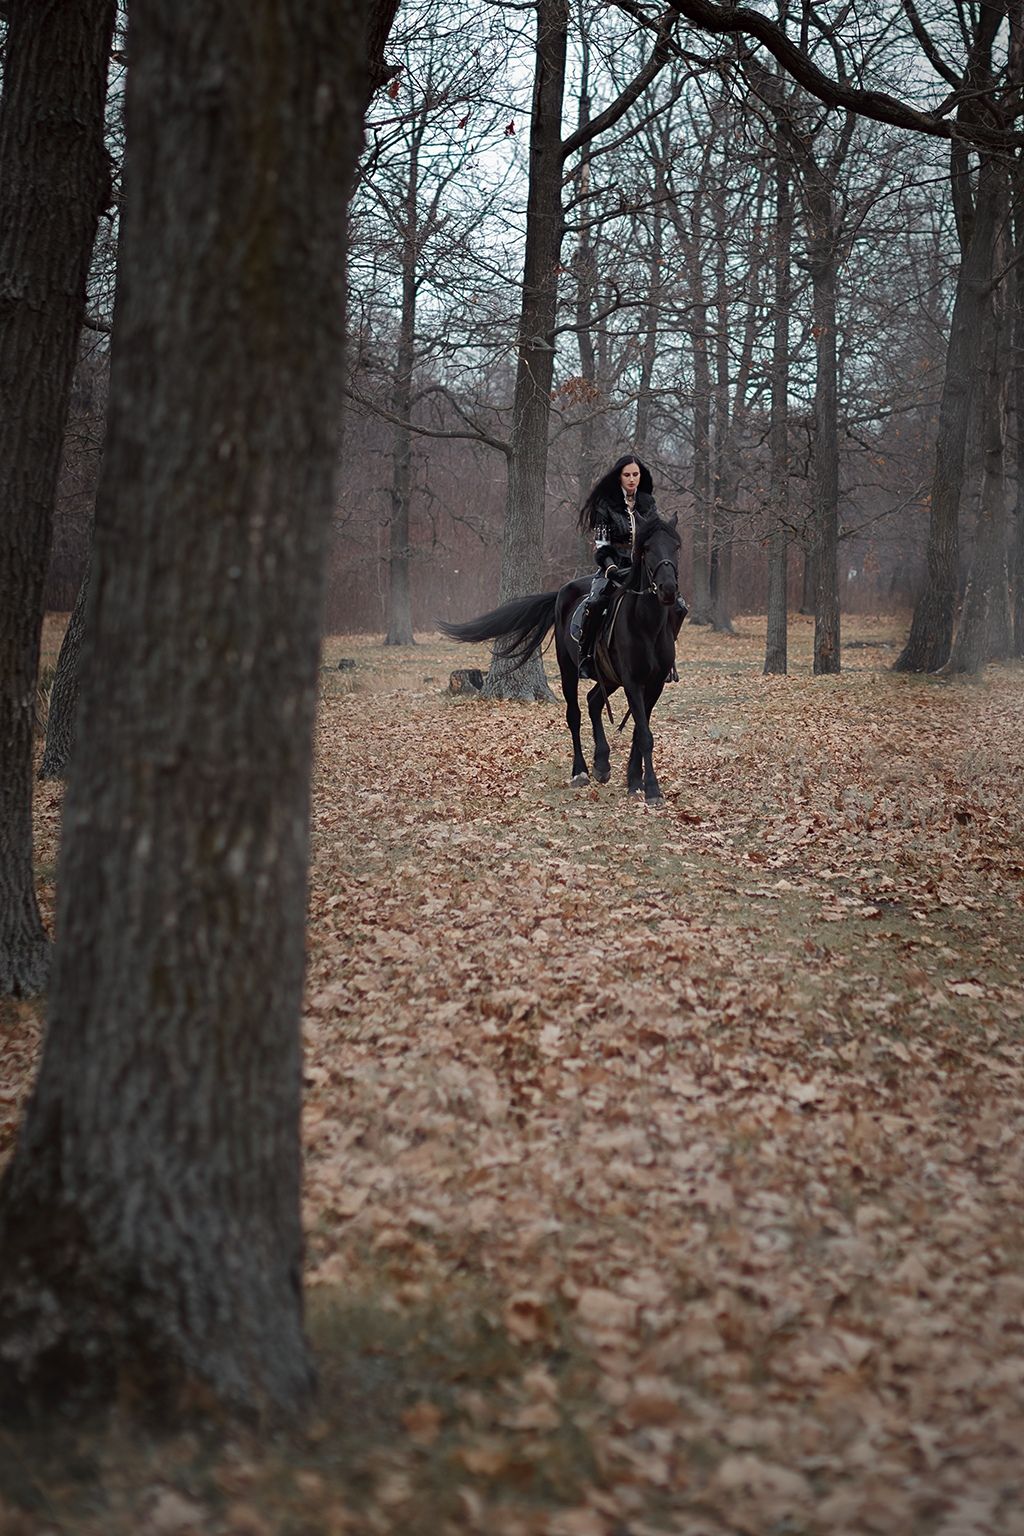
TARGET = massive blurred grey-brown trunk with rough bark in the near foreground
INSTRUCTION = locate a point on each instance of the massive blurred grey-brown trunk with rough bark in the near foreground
(150, 1219)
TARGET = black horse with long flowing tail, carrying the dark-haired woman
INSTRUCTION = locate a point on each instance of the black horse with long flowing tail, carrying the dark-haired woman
(636, 649)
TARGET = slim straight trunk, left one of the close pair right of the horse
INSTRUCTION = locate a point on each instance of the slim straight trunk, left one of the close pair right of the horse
(776, 646)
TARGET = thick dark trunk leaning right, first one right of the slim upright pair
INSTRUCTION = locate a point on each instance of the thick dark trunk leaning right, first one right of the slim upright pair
(934, 615)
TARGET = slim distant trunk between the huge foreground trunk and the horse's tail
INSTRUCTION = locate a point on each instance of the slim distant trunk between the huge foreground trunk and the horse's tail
(400, 624)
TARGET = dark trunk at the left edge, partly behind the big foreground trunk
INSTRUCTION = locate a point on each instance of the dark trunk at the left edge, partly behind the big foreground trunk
(55, 182)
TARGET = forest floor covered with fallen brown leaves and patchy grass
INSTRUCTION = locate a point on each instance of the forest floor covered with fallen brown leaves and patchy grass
(666, 1168)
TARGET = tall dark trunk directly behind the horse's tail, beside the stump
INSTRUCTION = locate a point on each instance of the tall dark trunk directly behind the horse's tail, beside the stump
(523, 548)
